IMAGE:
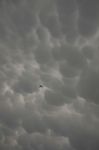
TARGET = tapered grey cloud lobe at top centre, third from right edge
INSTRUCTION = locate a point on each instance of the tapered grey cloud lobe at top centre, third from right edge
(51, 19)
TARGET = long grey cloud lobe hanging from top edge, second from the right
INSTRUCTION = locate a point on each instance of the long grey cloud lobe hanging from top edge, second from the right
(68, 15)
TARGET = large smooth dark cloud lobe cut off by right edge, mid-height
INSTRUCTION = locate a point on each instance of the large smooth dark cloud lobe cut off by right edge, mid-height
(89, 85)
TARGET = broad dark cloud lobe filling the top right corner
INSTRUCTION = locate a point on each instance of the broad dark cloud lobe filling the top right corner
(89, 14)
